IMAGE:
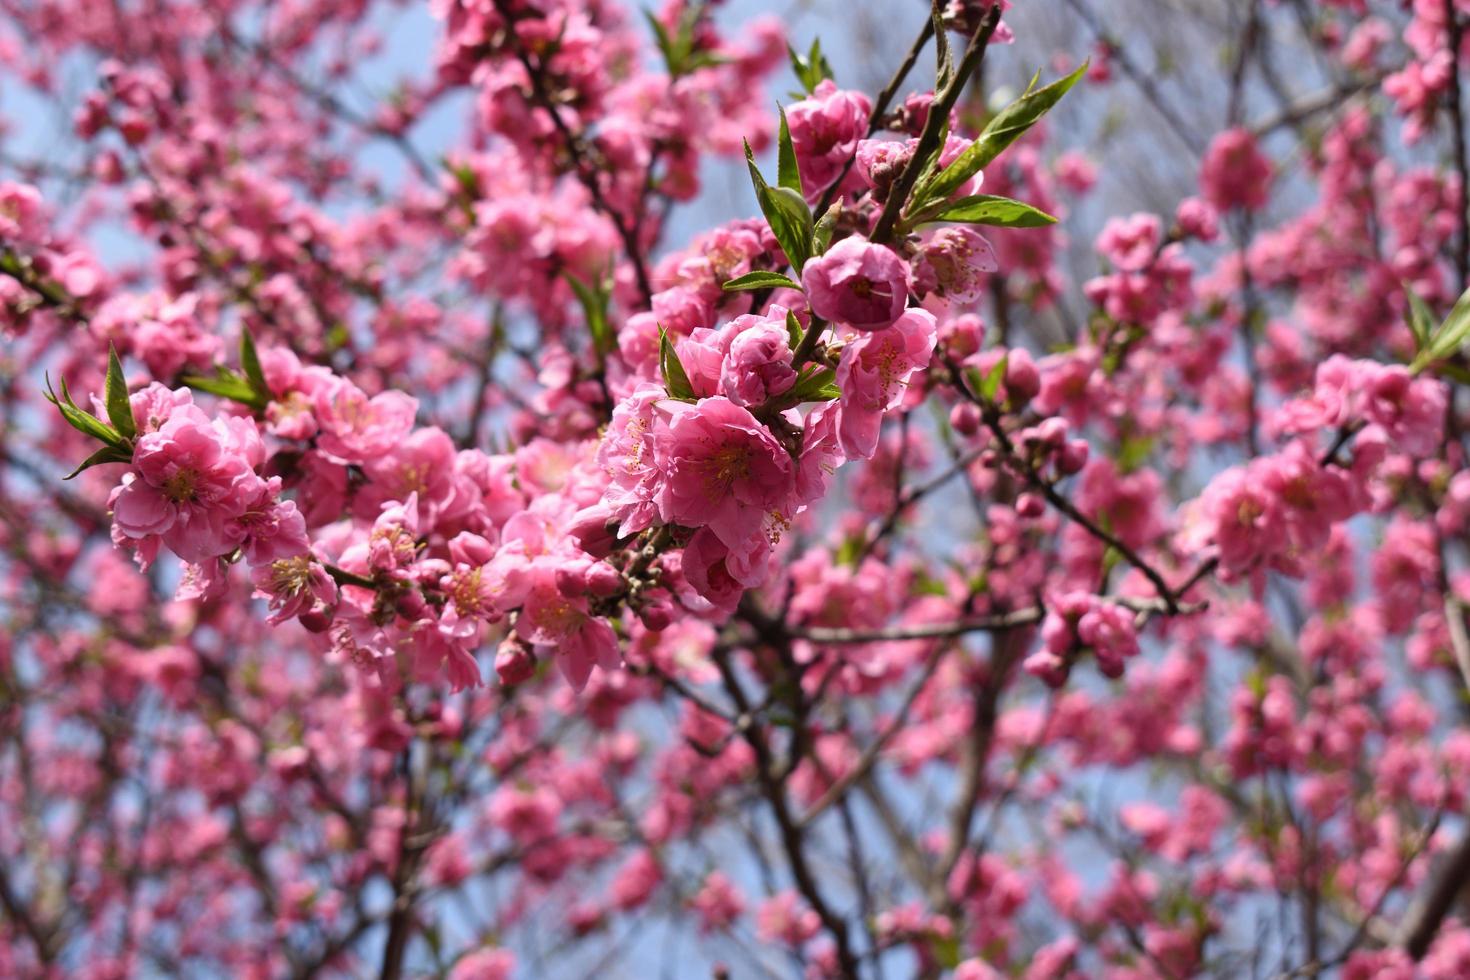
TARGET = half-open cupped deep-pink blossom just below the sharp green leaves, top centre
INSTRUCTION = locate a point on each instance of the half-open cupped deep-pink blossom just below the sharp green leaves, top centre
(858, 284)
